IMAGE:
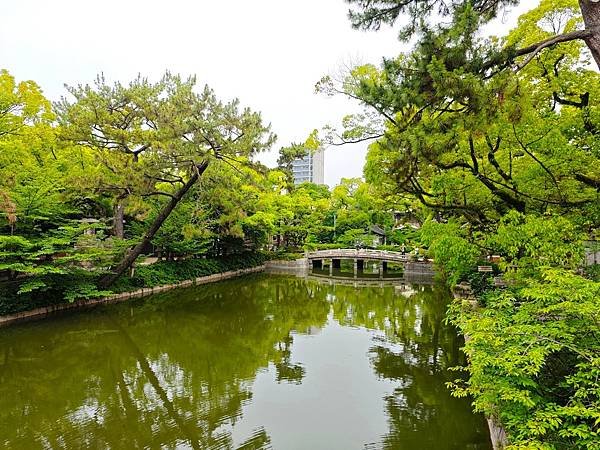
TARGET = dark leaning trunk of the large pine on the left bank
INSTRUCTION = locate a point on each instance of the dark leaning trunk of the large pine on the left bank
(132, 254)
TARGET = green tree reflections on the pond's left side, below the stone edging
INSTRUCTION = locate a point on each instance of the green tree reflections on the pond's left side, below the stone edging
(175, 369)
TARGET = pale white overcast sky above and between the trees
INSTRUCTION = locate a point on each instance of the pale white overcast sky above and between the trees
(267, 53)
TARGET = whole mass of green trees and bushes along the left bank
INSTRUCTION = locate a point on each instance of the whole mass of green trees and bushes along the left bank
(115, 171)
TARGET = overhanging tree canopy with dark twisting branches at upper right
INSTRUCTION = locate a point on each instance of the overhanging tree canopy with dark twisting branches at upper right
(469, 144)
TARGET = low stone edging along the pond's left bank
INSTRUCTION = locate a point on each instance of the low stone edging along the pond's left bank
(47, 311)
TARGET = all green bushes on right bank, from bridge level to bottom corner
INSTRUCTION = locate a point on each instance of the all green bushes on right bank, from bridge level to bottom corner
(533, 346)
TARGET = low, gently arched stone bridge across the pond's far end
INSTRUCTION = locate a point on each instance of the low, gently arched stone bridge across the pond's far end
(359, 256)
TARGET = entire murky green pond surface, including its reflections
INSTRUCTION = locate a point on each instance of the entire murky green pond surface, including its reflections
(263, 361)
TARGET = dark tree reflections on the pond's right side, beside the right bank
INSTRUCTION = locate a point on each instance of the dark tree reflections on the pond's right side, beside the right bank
(417, 351)
